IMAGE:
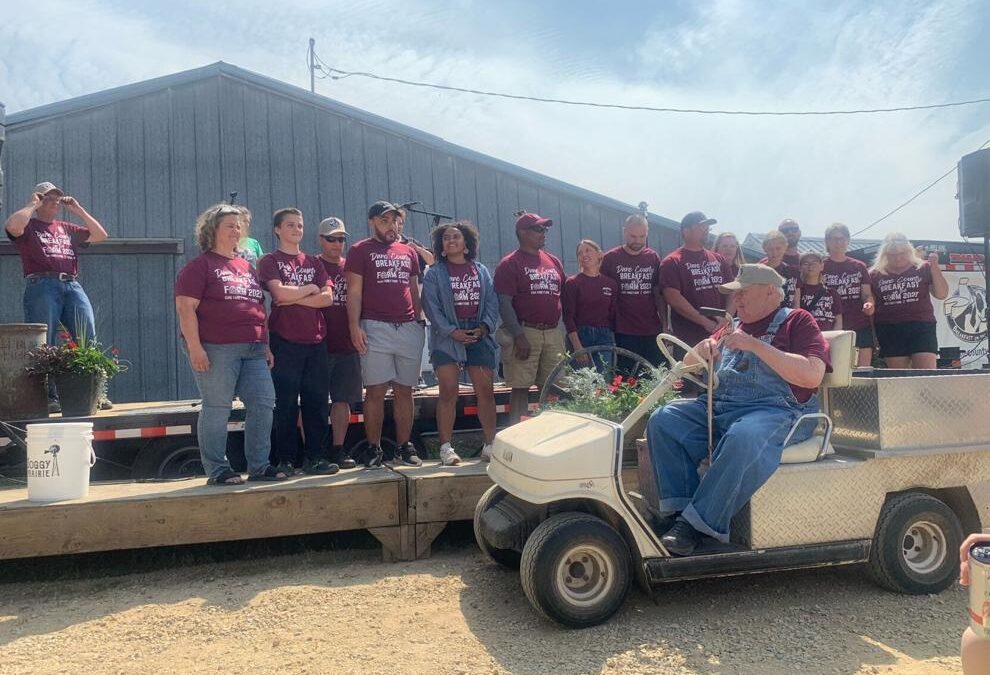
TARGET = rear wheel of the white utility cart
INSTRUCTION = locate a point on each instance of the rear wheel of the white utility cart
(914, 548)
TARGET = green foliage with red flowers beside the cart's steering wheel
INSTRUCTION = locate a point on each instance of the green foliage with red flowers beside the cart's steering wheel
(590, 393)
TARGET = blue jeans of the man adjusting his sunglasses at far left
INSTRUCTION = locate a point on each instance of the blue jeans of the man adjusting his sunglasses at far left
(53, 302)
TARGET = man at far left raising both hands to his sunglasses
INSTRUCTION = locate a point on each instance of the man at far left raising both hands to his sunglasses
(48, 250)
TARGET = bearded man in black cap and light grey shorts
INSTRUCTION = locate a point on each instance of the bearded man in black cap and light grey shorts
(385, 320)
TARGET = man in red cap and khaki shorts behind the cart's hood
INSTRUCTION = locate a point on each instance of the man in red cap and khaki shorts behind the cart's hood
(528, 282)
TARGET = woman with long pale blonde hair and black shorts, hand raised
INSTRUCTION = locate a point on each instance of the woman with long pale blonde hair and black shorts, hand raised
(905, 319)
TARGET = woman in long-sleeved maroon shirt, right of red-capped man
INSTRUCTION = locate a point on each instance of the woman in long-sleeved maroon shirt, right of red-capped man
(588, 304)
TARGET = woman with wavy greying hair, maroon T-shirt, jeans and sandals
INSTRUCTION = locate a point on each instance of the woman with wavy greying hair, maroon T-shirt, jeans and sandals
(221, 308)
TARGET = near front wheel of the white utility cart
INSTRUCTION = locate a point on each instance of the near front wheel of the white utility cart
(576, 569)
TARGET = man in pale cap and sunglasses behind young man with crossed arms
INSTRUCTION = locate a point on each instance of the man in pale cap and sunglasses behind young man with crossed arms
(345, 363)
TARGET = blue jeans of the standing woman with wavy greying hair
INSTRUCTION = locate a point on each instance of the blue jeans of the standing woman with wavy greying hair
(235, 369)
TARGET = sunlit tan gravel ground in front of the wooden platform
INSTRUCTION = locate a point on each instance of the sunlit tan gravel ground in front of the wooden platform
(321, 611)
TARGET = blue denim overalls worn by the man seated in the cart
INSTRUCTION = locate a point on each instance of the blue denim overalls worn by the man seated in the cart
(753, 411)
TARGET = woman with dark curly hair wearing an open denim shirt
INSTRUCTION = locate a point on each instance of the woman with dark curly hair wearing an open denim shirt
(459, 300)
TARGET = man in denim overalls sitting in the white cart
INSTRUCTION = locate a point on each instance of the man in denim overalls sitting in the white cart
(769, 364)
